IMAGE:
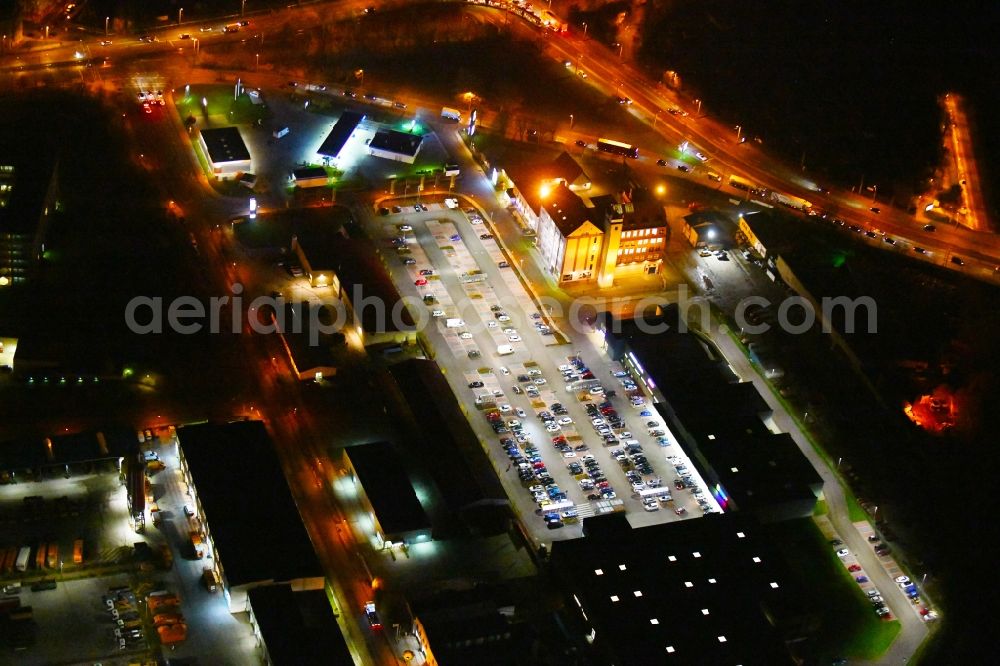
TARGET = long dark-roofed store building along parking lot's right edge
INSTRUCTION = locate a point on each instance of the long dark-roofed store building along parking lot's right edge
(723, 425)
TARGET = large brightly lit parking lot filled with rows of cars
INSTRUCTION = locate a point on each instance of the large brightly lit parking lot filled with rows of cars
(570, 434)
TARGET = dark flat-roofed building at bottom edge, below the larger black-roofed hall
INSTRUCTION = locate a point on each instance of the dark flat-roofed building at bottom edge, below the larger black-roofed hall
(296, 628)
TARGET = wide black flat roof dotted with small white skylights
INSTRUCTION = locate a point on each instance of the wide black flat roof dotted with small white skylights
(687, 592)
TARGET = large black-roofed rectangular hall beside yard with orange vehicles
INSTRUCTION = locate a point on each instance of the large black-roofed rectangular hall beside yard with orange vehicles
(226, 465)
